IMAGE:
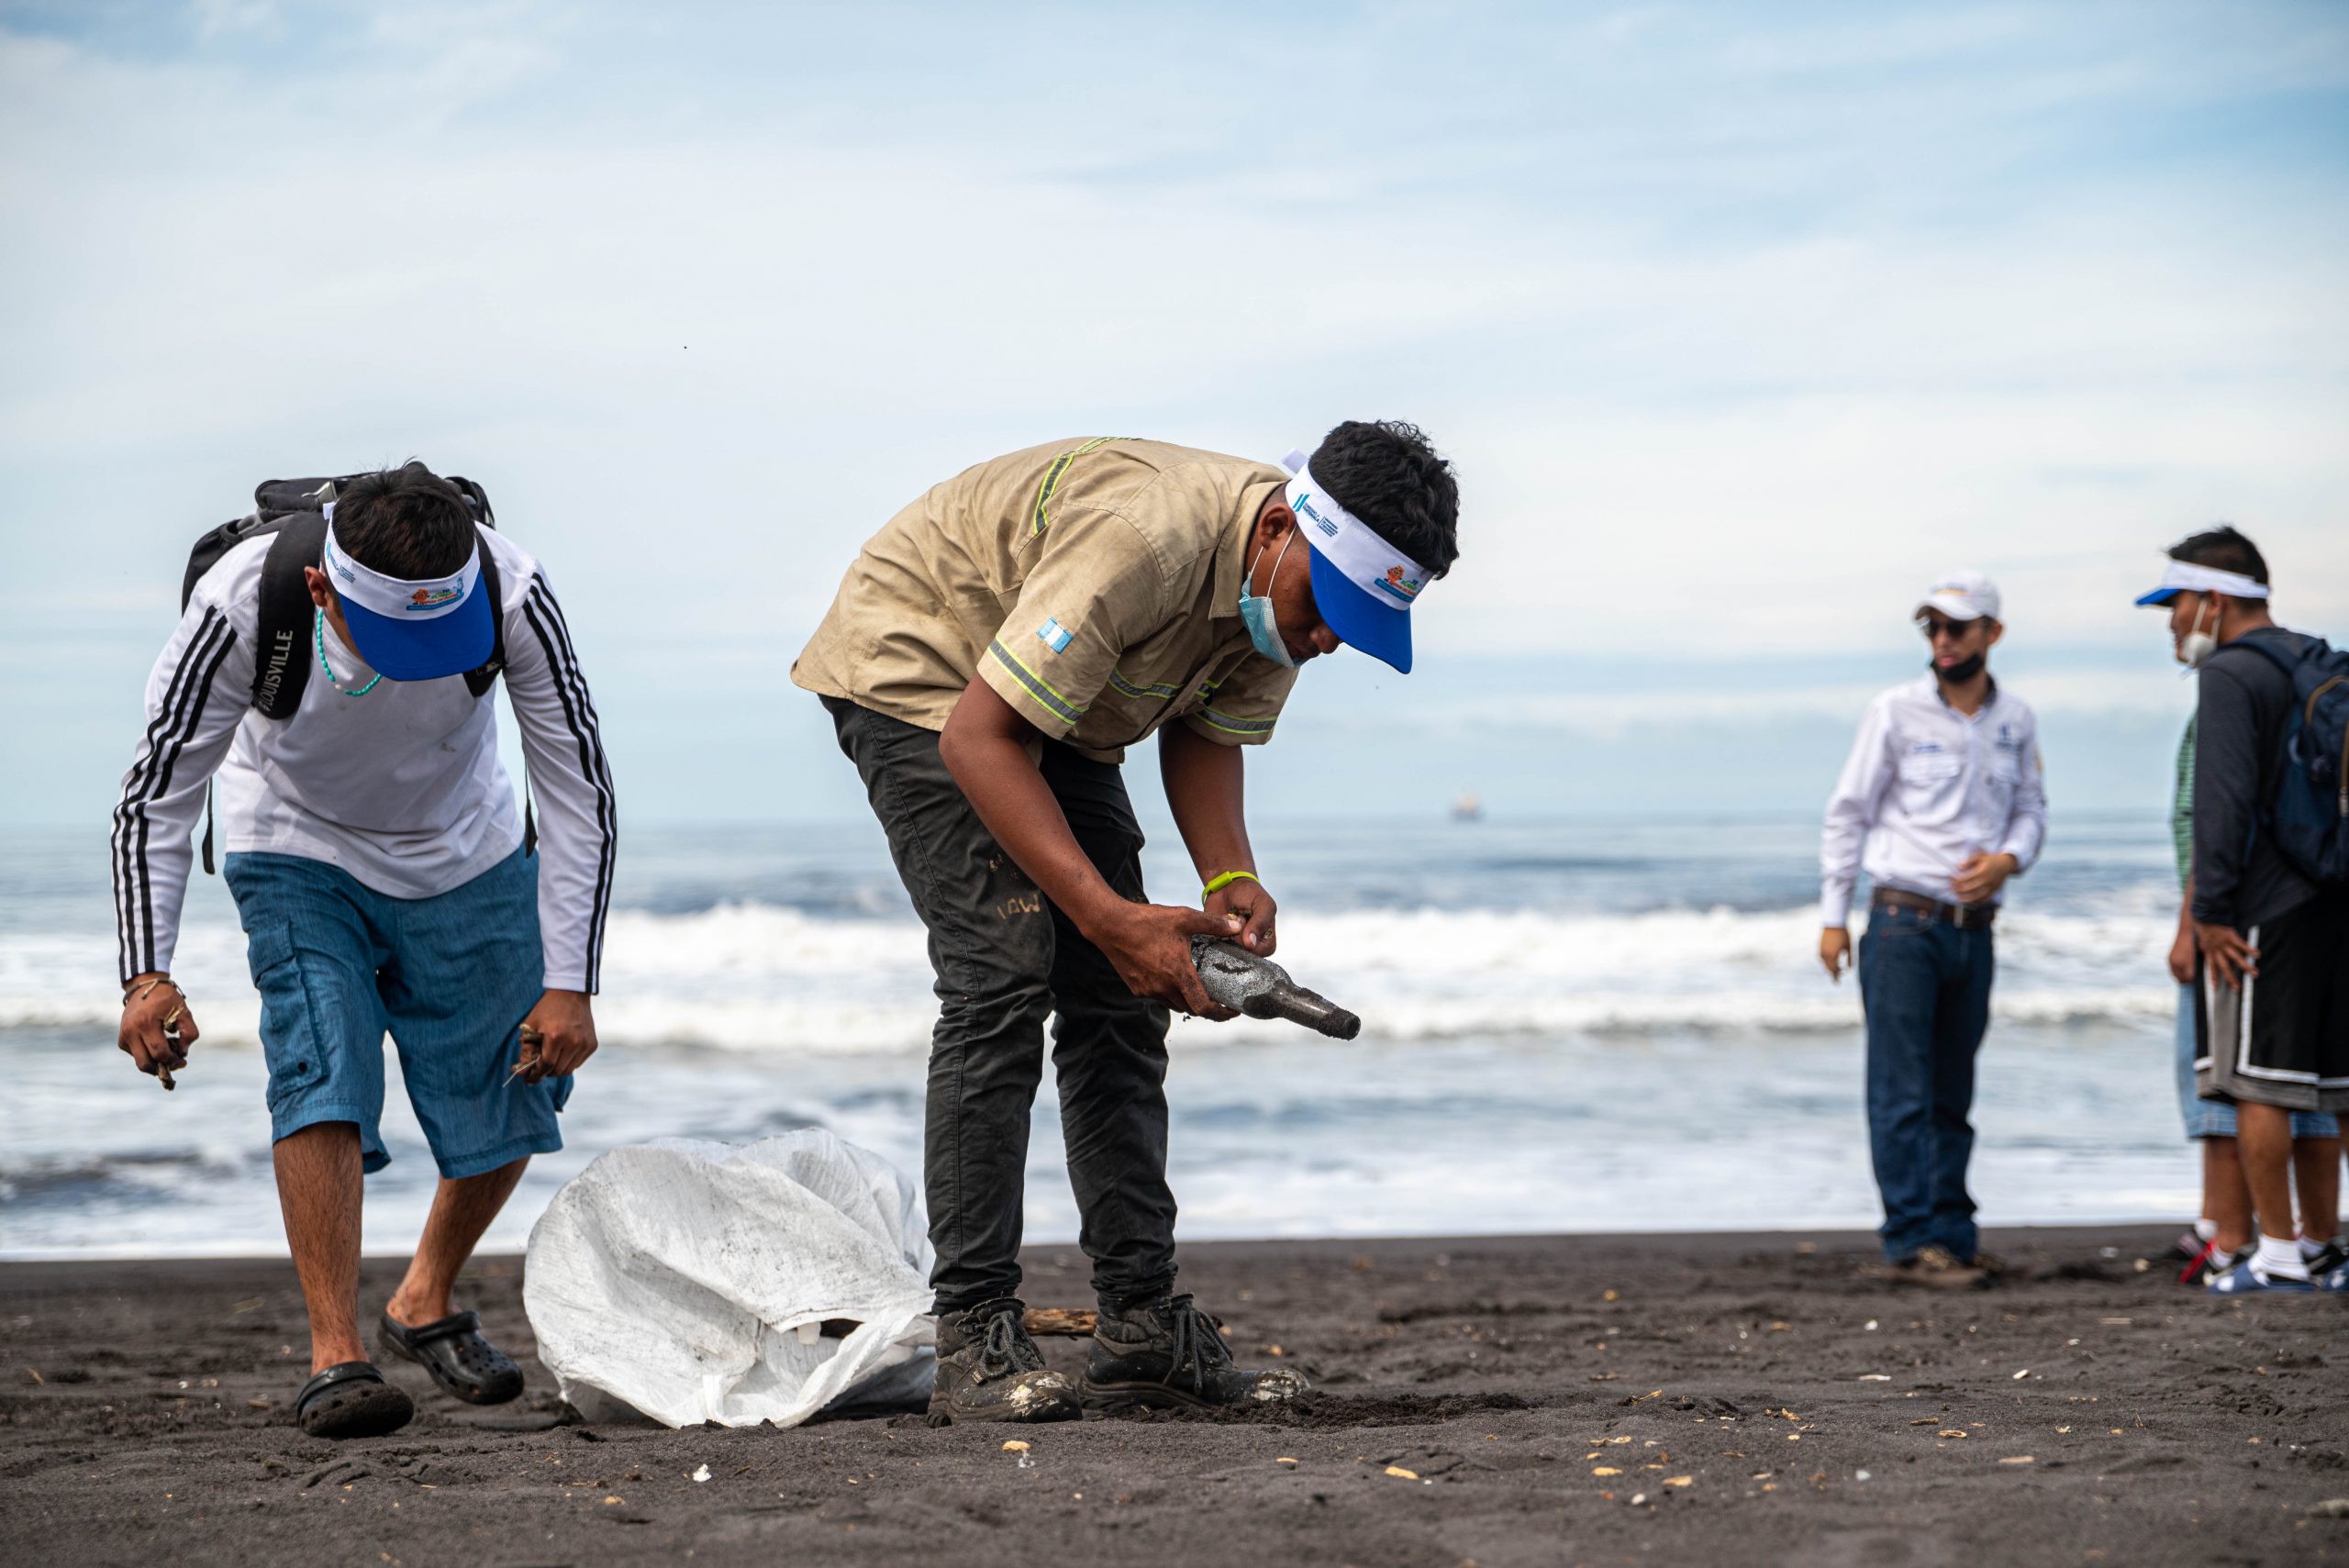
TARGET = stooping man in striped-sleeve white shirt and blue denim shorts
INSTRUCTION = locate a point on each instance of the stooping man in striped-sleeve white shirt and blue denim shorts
(384, 884)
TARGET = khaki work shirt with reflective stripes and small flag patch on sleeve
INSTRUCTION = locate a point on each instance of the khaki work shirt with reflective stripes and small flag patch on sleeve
(1093, 586)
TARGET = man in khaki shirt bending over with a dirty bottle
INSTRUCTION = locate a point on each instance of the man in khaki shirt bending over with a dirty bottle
(988, 661)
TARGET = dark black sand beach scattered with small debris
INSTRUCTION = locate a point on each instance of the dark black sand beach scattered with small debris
(1547, 1400)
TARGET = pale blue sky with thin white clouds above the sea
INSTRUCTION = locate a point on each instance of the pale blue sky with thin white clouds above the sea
(1739, 323)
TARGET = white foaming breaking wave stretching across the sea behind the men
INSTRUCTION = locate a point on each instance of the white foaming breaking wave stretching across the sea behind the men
(760, 978)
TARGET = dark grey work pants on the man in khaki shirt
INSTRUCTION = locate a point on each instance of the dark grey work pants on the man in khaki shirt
(1004, 961)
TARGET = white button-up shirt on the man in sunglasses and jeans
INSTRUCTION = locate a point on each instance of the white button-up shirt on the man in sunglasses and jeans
(1930, 788)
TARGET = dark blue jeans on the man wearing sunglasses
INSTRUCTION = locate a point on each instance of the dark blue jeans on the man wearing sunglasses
(1927, 994)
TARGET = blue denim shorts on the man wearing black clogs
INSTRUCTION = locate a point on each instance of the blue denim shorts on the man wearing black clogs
(450, 978)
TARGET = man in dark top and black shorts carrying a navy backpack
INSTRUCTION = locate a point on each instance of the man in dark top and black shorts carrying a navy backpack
(2270, 935)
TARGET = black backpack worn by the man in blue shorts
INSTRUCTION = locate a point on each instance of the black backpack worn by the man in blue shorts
(295, 511)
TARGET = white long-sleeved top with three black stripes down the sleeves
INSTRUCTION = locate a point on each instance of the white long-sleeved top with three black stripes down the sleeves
(401, 788)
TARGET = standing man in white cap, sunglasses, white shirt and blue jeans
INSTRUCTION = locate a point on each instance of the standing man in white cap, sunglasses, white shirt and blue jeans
(1941, 804)
